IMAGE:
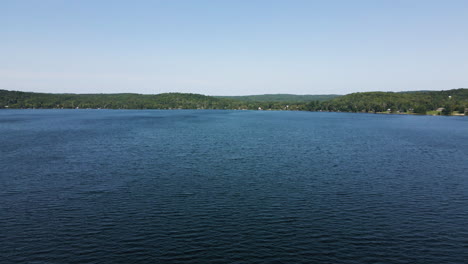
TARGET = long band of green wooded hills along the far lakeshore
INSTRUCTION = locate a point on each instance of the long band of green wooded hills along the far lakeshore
(446, 102)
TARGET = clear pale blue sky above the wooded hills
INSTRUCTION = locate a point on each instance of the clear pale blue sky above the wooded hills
(233, 47)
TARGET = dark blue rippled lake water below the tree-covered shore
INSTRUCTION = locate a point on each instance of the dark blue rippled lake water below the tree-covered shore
(103, 186)
